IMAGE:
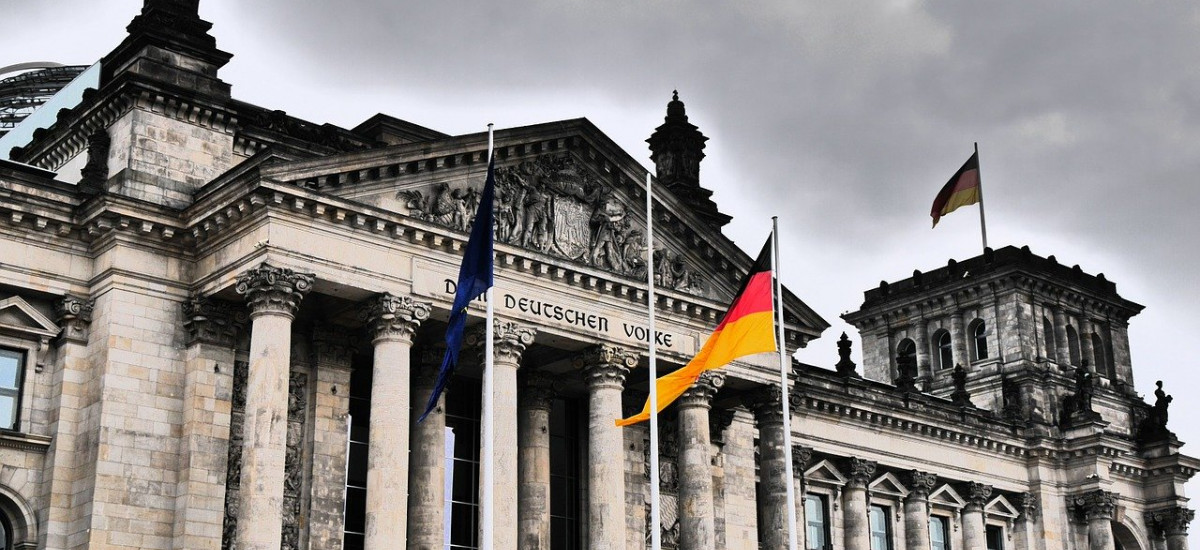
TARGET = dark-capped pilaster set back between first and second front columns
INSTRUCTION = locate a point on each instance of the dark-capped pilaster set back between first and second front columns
(332, 356)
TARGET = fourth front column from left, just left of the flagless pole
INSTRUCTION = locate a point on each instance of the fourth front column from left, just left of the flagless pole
(604, 372)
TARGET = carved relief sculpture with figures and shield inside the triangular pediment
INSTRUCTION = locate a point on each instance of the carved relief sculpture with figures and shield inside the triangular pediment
(553, 206)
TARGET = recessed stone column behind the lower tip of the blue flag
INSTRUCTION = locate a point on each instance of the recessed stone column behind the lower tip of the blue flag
(428, 459)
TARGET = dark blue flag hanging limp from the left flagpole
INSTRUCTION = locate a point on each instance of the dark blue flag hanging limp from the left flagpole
(475, 279)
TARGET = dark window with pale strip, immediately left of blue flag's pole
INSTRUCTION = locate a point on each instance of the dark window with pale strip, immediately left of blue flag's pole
(463, 464)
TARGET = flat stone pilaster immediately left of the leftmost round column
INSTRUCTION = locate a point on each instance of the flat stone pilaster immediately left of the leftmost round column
(208, 404)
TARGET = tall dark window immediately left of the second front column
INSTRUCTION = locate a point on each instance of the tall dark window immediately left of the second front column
(357, 458)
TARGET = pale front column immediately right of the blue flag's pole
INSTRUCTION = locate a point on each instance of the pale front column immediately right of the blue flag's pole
(511, 342)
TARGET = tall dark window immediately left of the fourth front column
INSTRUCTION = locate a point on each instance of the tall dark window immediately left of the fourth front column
(565, 476)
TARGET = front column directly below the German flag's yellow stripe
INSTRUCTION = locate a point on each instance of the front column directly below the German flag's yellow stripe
(697, 525)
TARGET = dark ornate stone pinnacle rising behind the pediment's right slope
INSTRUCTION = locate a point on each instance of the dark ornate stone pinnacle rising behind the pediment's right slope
(676, 148)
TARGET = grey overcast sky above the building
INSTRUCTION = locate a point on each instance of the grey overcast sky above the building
(843, 118)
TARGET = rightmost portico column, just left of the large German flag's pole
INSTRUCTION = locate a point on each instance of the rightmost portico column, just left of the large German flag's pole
(769, 412)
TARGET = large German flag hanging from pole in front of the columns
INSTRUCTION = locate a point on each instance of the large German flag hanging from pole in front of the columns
(747, 328)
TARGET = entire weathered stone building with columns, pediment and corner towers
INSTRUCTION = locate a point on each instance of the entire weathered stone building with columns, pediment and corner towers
(226, 321)
